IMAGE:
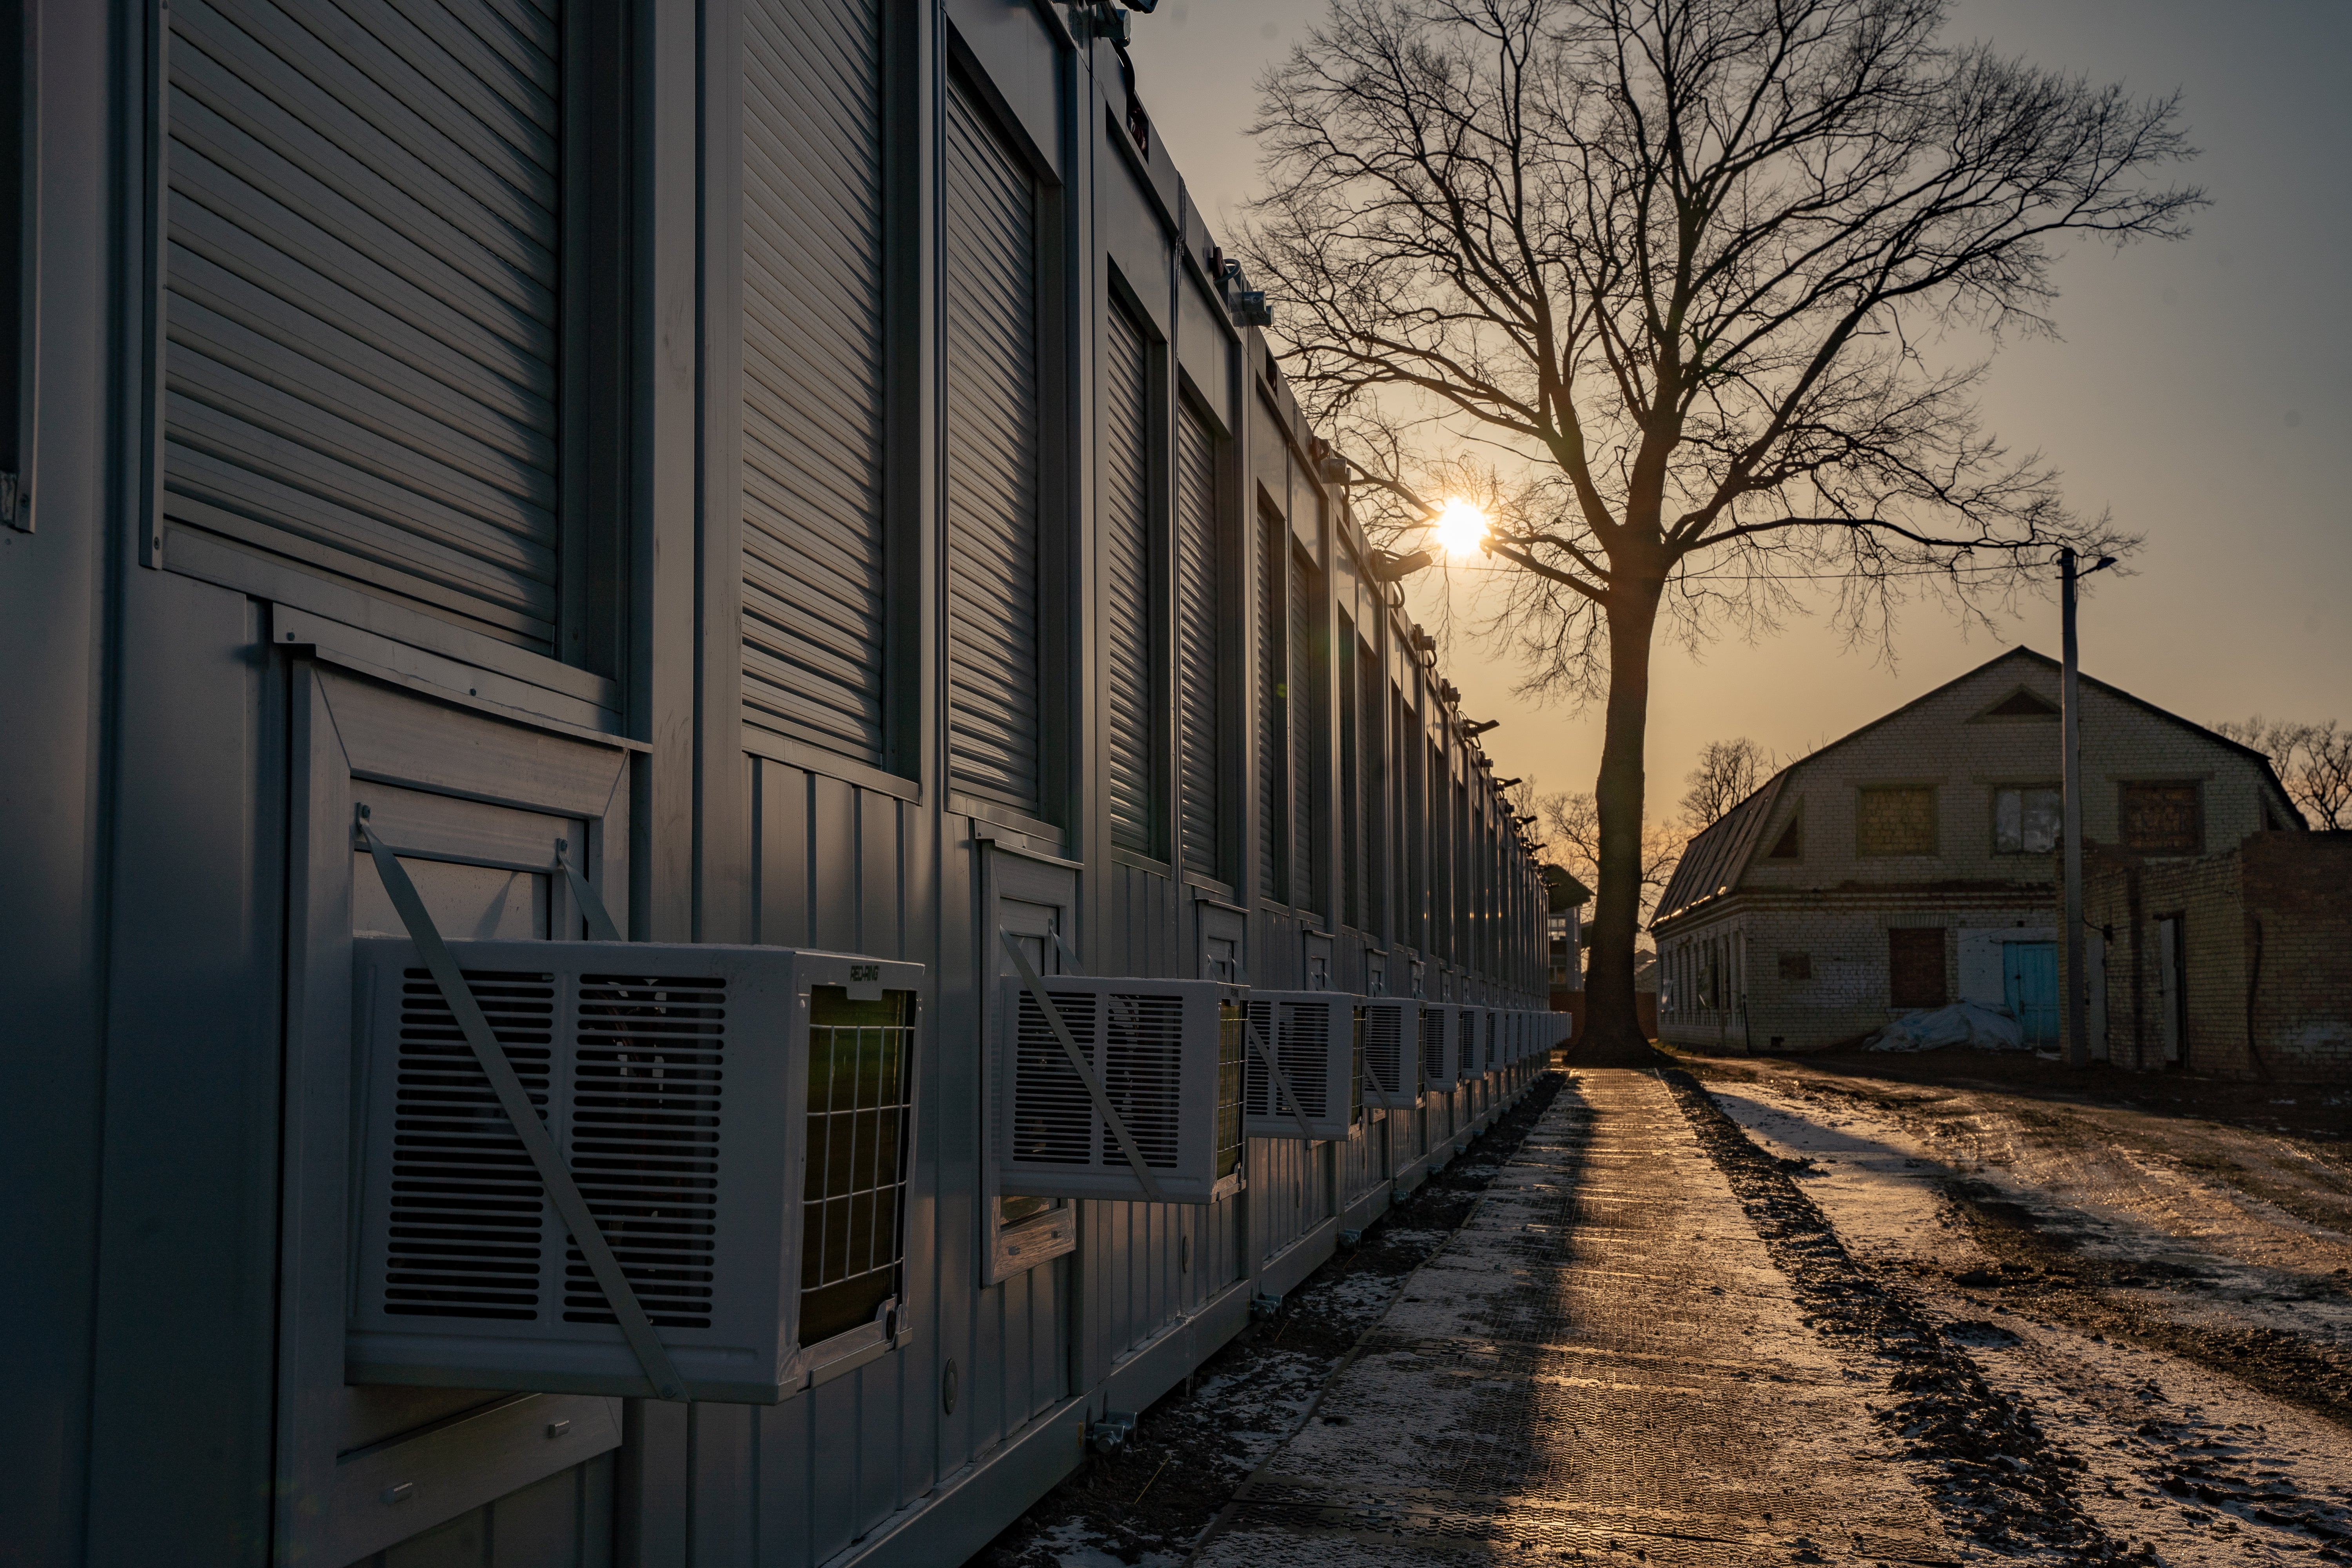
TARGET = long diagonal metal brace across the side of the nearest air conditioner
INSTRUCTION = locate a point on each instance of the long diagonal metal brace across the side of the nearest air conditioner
(516, 1101)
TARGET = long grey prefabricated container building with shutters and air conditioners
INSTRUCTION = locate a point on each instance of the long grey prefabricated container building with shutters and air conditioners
(784, 485)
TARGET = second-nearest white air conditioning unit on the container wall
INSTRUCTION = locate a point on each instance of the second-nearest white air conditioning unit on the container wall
(1154, 1118)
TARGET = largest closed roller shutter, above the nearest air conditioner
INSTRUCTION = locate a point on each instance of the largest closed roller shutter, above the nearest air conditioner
(361, 366)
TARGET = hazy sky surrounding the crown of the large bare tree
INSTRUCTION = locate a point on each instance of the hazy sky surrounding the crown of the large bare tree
(2203, 391)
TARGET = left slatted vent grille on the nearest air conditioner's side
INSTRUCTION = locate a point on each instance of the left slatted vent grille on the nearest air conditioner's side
(465, 1228)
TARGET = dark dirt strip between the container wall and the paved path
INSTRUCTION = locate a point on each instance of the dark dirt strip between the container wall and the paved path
(1154, 1499)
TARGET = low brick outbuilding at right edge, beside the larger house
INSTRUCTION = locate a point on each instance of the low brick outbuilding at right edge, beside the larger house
(2238, 963)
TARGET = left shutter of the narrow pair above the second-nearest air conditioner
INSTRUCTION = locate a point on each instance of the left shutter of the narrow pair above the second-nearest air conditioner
(1132, 591)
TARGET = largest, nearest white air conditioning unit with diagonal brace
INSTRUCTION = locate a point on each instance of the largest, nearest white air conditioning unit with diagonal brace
(740, 1123)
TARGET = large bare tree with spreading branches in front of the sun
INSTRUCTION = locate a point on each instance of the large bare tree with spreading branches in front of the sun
(1652, 281)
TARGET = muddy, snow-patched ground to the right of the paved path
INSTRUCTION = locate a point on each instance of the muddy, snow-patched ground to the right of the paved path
(2153, 1273)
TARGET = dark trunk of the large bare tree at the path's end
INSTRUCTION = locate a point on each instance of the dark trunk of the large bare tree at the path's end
(1612, 1024)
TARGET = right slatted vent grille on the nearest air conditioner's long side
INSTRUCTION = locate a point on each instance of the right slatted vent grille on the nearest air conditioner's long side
(648, 1078)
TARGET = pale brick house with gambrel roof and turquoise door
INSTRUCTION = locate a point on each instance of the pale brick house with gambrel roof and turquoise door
(1913, 864)
